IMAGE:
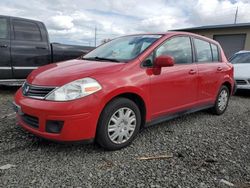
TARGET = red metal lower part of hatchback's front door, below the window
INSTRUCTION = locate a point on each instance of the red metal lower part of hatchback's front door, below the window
(173, 88)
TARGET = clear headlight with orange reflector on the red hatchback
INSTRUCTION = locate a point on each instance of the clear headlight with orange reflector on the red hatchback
(74, 90)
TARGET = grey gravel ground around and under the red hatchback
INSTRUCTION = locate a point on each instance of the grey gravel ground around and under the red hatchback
(205, 151)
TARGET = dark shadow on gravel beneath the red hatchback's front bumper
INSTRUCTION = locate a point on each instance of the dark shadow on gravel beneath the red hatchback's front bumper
(23, 140)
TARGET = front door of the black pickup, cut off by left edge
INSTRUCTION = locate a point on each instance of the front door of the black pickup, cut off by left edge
(5, 60)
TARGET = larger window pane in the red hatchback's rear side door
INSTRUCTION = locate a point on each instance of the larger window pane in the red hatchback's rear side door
(203, 51)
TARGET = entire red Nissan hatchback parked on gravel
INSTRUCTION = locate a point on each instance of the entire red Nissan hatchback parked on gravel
(130, 82)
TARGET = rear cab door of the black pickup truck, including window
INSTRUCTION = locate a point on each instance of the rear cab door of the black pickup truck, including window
(28, 48)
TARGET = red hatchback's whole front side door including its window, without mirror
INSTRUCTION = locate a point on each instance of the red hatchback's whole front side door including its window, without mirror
(174, 88)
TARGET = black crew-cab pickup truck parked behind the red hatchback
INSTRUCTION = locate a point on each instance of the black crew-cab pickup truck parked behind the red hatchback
(25, 46)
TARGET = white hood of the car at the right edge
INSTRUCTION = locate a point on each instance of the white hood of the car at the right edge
(242, 70)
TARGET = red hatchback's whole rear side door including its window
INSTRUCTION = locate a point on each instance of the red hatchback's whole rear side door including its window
(210, 70)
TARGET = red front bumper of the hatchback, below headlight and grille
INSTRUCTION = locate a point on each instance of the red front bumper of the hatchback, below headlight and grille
(79, 117)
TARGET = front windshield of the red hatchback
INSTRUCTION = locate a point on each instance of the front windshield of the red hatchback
(122, 49)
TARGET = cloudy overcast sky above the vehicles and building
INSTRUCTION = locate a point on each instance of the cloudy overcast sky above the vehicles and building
(73, 21)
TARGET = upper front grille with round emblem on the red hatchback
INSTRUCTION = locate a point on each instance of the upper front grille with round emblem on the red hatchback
(38, 92)
